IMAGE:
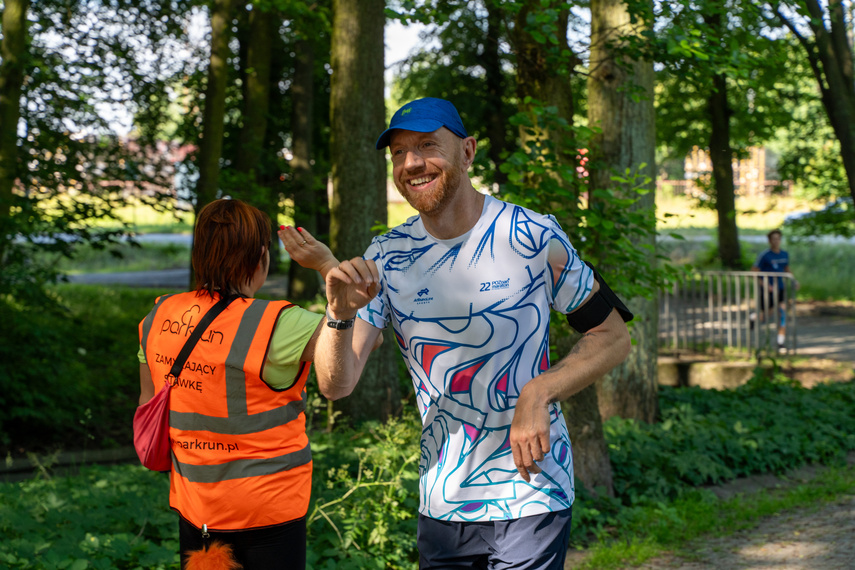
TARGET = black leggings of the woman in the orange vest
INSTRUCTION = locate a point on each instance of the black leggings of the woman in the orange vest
(281, 547)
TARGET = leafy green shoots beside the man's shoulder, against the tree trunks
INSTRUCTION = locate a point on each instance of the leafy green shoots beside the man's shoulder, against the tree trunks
(604, 224)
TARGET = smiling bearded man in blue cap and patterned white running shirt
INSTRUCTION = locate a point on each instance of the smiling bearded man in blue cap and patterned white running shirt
(467, 286)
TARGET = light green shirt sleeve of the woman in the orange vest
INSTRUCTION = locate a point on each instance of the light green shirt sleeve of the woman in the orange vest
(290, 336)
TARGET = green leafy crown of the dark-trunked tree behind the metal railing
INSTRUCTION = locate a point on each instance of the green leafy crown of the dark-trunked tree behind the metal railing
(694, 42)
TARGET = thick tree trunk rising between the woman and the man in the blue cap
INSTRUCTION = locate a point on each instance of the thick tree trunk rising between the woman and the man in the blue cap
(359, 173)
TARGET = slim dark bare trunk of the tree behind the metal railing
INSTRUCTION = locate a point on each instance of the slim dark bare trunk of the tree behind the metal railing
(721, 157)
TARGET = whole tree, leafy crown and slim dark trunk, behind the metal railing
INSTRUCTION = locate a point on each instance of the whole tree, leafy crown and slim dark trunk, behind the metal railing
(718, 87)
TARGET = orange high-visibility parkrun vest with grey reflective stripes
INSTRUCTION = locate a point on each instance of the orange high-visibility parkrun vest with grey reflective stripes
(240, 454)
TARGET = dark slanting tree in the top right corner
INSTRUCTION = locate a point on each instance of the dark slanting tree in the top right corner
(823, 30)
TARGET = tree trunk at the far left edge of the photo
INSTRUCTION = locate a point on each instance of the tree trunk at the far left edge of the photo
(14, 53)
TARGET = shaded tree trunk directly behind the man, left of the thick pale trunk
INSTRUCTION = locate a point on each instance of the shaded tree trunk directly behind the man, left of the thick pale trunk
(544, 67)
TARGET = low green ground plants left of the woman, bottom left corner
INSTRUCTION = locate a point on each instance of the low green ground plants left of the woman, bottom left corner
(106, 518)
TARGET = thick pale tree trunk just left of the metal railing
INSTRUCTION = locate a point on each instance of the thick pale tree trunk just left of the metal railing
(627, 140)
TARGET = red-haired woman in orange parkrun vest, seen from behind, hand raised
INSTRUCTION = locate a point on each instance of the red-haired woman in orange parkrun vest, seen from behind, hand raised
(241, 463)
